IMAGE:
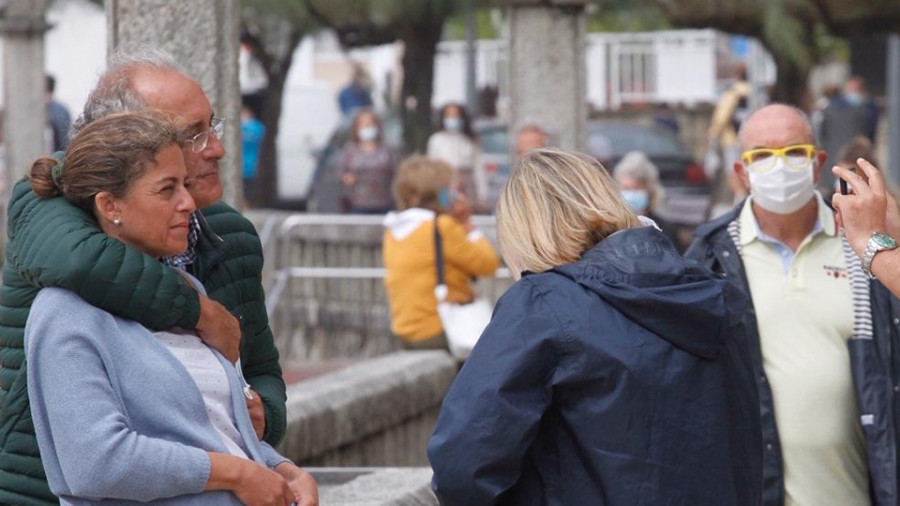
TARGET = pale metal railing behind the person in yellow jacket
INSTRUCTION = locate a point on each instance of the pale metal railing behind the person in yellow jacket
(326, 296)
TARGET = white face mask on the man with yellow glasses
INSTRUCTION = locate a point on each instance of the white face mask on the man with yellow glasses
(783, 190)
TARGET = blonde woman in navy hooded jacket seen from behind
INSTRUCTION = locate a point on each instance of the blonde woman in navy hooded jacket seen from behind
(612, 372)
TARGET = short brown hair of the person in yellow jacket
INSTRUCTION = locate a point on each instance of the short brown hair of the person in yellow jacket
(419, 180)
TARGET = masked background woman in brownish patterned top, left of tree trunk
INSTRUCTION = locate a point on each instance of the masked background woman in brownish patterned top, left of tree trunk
(367, 167)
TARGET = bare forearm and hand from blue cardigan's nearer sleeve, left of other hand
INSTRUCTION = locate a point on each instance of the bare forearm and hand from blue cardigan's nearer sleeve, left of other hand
(252, 483)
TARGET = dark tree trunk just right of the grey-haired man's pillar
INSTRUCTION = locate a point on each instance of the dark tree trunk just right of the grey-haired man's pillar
(267, 172)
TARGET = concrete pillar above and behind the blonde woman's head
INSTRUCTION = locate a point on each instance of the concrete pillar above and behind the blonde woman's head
(547, 78)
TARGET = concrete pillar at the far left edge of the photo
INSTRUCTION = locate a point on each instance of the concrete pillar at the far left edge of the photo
(25, 117)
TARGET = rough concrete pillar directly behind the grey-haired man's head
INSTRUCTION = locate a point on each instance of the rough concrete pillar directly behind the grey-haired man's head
(204, 36)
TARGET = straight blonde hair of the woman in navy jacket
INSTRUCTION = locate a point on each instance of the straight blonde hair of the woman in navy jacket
(556, 206)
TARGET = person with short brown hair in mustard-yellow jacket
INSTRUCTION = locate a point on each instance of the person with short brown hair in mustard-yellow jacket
(426, 200)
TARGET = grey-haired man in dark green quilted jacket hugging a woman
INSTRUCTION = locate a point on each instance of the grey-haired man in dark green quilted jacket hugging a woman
(225, 254)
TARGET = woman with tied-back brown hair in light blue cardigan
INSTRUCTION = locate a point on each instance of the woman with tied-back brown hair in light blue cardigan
(122, 413)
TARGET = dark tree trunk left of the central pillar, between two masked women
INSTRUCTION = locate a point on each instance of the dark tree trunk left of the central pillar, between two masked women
(418, 84)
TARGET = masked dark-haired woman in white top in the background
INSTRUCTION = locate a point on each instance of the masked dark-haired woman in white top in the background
(455, 143)
